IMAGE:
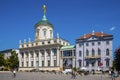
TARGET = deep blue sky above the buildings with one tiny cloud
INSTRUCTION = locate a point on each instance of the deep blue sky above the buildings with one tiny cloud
(71, 19)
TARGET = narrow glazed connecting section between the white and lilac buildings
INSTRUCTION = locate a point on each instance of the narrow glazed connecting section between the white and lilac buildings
(68, 57)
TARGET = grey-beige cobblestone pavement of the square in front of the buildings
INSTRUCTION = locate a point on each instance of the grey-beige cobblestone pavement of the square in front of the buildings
(50, 76)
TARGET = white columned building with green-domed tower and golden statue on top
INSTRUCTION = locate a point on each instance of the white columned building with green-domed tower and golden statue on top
(44, 52)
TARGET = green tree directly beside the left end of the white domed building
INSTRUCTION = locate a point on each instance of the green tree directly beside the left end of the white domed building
(13, 60)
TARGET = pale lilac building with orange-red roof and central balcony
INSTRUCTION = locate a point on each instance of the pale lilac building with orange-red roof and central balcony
(94, 51)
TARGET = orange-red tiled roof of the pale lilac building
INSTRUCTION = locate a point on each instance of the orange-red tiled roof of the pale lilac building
(97, 34)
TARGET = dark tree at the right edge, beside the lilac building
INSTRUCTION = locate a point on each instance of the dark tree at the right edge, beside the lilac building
(117, 59)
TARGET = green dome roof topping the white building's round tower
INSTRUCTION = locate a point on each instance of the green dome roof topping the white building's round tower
(44, 22)
